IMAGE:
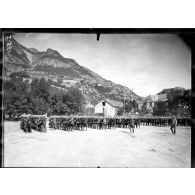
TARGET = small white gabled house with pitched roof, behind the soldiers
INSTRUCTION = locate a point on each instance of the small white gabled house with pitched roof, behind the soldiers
(108, 108)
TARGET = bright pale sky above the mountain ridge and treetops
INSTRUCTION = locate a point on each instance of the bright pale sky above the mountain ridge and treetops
(146, 63)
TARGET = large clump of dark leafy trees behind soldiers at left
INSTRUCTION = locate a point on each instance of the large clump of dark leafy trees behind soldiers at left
(35, 98)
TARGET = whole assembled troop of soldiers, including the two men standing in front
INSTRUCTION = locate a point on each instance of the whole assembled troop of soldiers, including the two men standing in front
(82, 123)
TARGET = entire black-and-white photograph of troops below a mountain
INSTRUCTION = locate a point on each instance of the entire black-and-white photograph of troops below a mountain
(96, 100)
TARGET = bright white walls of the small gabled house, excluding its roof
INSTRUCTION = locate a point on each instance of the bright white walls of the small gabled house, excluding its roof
(106, 109)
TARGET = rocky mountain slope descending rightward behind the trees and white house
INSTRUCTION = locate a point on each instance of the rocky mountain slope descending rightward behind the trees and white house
(51, 64)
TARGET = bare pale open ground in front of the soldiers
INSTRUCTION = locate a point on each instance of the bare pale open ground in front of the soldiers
(147, 147)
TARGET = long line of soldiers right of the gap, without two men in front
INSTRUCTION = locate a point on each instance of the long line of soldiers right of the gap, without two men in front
(100, 123)
